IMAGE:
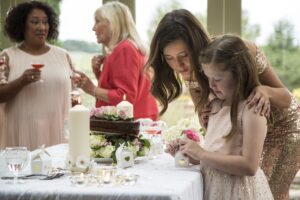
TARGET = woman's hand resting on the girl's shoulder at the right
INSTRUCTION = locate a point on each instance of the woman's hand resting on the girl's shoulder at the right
(260, 99)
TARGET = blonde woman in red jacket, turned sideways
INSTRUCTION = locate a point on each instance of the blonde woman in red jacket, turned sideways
(122, 72)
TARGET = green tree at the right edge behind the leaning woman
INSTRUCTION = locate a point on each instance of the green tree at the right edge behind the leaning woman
(283, 53)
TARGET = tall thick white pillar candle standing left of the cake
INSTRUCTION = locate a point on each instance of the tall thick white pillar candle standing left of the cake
(79, 123)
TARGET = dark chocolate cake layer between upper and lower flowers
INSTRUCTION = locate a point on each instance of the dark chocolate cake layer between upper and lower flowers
(119, 127)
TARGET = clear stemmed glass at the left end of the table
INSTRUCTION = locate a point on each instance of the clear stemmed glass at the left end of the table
(16, 160)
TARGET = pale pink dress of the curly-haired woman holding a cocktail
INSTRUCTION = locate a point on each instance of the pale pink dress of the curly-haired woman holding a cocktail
(35, 116)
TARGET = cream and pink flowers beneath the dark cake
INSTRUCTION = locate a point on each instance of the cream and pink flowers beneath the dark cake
(105, 146)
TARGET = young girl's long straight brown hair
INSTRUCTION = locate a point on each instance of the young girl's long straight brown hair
(231, 52)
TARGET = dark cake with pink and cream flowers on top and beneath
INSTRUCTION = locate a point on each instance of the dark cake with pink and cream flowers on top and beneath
(113, 126)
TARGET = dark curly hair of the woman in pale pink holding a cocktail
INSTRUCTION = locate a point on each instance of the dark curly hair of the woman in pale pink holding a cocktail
(15, 22)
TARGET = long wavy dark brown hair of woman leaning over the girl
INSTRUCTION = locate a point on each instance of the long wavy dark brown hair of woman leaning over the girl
(175, 25)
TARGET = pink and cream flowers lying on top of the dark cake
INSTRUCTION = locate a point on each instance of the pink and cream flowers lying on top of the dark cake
(110, 113)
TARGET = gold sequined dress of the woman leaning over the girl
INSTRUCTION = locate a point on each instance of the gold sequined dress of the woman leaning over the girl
(281, 154)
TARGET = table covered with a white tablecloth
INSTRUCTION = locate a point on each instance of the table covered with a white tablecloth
(159, 180)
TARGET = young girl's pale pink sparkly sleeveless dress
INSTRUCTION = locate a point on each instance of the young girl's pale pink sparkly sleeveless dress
(219, 185)
